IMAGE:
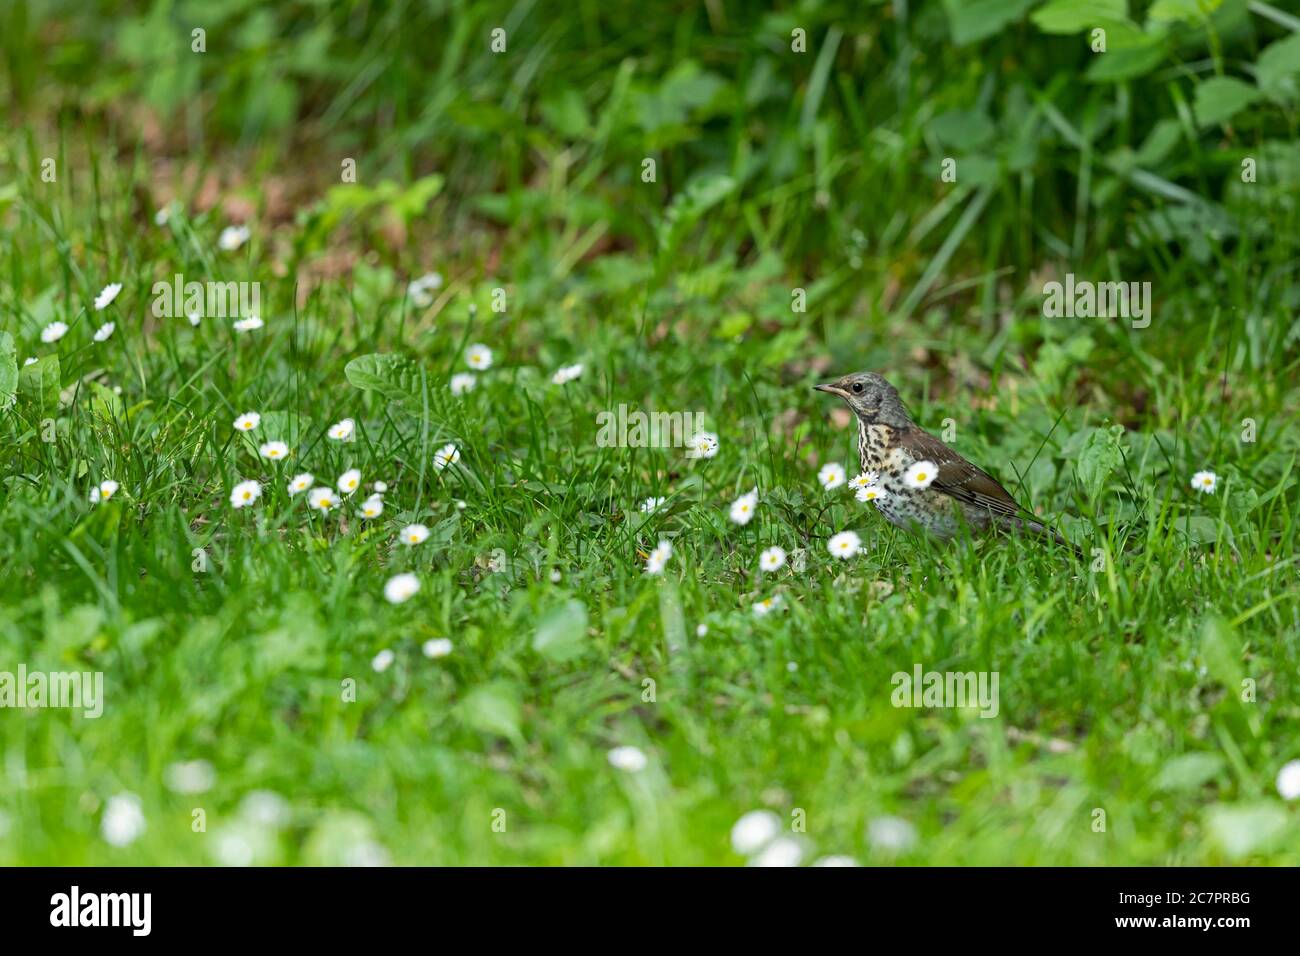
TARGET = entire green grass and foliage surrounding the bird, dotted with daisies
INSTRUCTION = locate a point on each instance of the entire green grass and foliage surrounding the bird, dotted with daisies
(270, 697)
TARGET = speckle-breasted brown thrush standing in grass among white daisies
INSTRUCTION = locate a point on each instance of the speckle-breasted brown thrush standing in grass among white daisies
(918, 482)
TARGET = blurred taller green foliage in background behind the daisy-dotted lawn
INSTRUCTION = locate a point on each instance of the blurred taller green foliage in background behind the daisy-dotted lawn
(1141, 146)
